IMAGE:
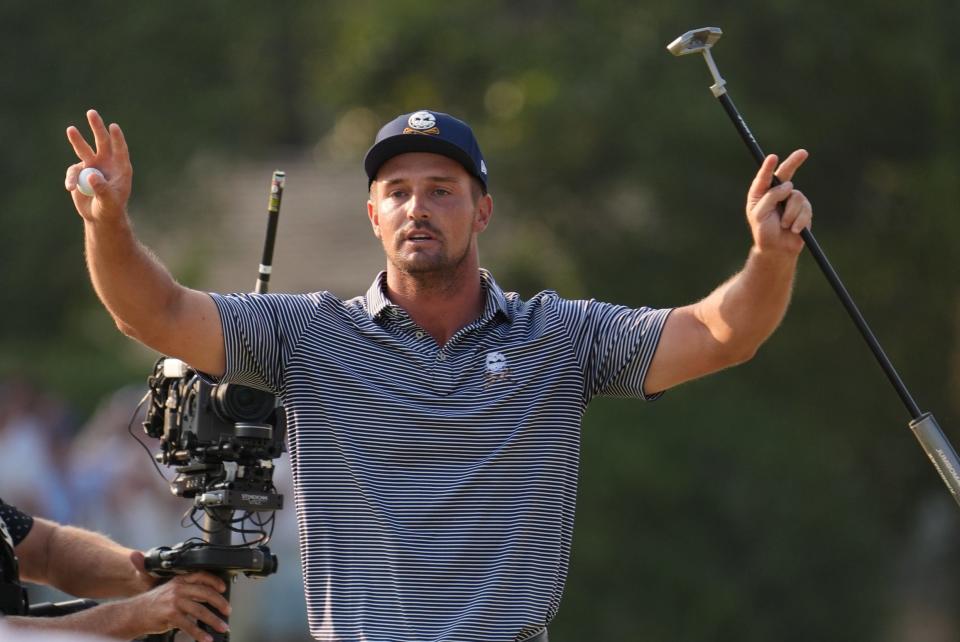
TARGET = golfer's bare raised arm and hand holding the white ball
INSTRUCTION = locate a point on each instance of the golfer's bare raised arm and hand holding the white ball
(144, 300)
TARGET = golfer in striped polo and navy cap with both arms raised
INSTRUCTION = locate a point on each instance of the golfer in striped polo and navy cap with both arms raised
(434, 422)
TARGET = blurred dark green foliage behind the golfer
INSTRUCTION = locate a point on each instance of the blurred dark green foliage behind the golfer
(784, 499)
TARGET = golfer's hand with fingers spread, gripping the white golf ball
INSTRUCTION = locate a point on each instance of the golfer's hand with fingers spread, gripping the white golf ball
(111, 157)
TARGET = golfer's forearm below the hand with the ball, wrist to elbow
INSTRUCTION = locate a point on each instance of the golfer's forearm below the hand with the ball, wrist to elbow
(132, 284)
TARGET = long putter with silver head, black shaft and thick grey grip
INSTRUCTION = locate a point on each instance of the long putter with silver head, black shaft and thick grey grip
(923, 424)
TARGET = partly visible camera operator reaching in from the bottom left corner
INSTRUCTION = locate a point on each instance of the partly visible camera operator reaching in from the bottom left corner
(88, 564)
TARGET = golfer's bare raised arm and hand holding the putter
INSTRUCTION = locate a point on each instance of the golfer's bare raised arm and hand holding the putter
(729, 325)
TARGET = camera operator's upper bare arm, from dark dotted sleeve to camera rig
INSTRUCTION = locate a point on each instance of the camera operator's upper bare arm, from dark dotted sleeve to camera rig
(81, 562)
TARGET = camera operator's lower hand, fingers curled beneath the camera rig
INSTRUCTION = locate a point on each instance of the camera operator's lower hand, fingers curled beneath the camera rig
(179, 604)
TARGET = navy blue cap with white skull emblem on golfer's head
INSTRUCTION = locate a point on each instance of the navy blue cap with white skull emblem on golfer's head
(426, 131)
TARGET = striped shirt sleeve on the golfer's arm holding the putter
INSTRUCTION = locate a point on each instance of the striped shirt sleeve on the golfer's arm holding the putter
(614, 345)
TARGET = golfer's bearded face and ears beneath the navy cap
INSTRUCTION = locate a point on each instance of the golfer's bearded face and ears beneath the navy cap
(427, 210)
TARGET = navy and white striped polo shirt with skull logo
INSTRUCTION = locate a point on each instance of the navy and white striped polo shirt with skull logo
(435, 485)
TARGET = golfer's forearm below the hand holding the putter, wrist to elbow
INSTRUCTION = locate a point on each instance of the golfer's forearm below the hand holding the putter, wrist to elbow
(745, 310)
